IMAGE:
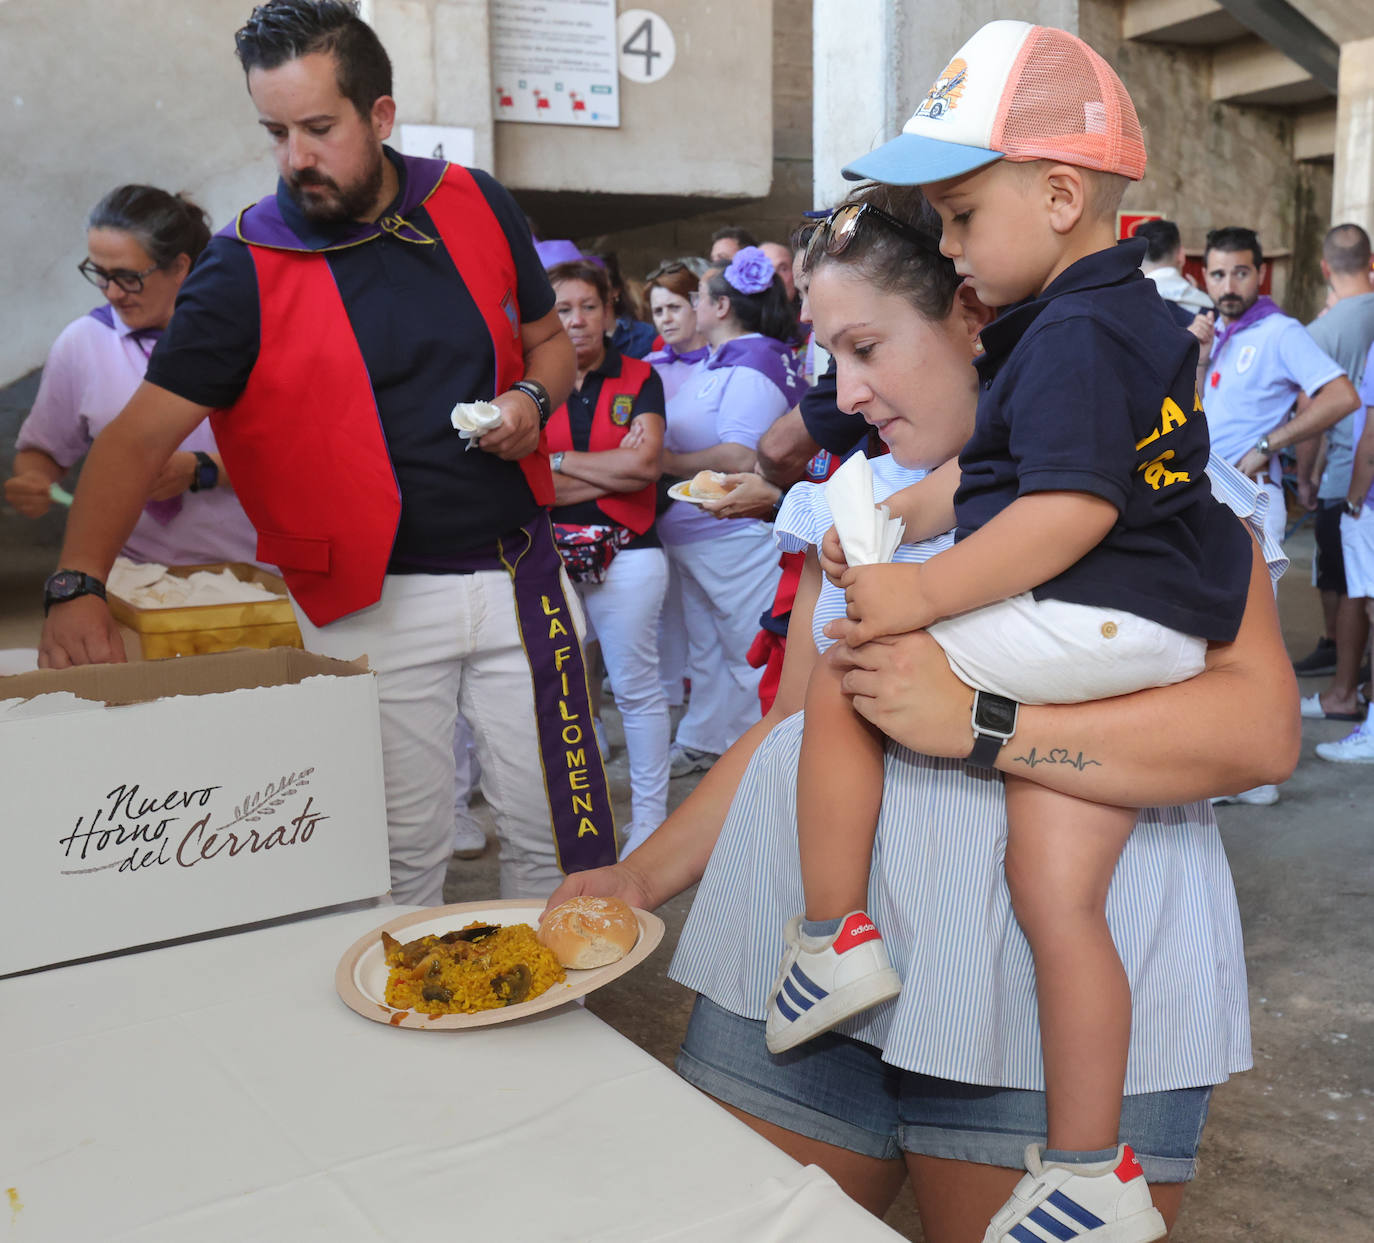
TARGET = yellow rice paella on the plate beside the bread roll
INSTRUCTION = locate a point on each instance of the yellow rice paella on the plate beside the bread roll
(473, 969)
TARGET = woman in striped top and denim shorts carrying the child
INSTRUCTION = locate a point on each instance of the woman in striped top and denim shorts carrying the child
(943, 1086)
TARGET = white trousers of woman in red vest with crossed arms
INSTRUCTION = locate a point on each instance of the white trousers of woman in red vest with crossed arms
(624, 613)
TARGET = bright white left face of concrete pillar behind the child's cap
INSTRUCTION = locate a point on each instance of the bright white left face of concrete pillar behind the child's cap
(854, 87)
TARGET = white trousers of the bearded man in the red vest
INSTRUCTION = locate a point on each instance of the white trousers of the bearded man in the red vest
(442, 645)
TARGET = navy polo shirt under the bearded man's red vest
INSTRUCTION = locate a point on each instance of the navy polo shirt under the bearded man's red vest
(427, 348)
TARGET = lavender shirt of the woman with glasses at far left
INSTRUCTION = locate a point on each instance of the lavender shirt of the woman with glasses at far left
(93, 370)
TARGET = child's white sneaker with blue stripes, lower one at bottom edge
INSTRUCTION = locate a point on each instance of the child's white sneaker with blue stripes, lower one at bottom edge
(1105, 1202)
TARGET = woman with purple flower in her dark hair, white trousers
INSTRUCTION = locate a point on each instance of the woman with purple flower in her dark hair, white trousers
(728, 568)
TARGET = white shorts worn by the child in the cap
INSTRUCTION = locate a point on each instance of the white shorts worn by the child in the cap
(1048, 652)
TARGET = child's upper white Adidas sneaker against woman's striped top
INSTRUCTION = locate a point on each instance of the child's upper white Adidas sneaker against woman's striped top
(825, 980)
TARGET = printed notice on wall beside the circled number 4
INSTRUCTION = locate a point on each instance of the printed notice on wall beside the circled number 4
(554, 62)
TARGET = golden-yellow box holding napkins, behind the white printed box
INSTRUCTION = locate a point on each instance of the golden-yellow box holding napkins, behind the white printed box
(196, 630)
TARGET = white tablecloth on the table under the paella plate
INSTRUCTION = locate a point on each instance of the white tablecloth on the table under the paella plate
(221, 1091)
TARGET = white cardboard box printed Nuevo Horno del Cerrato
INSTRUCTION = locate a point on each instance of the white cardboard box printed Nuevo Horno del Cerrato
(152, 801)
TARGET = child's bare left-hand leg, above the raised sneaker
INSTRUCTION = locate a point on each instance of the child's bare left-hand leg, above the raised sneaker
(839, 796)
